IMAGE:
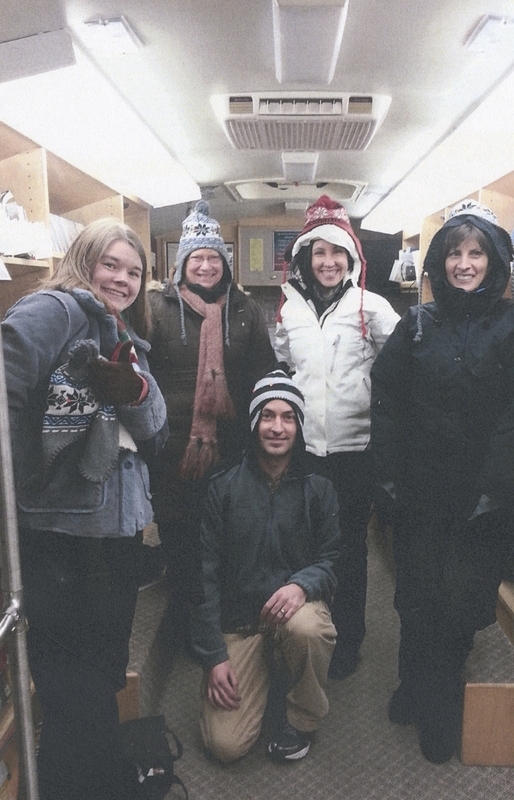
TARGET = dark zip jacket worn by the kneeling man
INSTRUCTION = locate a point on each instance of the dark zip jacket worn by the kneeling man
(254, 542)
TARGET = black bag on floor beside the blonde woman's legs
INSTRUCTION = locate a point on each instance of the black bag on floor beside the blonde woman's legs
(147, 750)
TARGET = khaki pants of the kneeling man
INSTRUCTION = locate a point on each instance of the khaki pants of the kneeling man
(306, 642)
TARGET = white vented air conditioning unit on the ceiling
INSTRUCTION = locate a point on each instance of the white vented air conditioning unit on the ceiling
(300, 121)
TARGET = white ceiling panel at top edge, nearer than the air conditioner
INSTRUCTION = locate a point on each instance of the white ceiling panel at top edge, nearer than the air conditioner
(298, 28)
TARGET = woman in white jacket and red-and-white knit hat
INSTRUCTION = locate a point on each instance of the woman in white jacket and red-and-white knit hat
(330, 331)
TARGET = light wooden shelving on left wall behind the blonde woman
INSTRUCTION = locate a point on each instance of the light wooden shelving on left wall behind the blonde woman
(45, 184)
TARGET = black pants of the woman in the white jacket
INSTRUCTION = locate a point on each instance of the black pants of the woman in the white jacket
(351, 476)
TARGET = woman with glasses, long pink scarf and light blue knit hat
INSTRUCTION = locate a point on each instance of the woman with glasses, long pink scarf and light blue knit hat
(210, 344)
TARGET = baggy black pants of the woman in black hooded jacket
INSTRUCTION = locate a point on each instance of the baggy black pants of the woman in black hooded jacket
(448, 572)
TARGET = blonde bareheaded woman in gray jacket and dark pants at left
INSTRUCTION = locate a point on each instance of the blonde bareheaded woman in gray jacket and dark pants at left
(82, 408)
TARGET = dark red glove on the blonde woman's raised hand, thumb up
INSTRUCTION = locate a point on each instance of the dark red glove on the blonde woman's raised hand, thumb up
(116, 382)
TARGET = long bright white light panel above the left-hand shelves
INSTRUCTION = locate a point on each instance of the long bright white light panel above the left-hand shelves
(77, 114)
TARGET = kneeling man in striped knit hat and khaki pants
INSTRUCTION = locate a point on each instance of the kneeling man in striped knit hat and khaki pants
(270, 537)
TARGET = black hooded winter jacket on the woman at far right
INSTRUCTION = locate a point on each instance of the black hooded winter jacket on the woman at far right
(442, 407)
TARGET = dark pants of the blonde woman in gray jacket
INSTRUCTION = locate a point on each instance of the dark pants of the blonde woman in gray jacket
(80, 597)
